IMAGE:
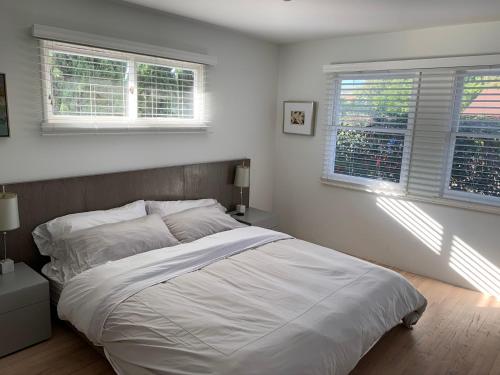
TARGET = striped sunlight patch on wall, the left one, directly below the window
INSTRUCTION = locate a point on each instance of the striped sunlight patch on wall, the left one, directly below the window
(416, 221)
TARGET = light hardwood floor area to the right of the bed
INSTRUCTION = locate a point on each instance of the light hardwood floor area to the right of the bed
(458, 334)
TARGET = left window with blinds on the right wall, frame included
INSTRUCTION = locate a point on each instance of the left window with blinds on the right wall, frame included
(372, 126)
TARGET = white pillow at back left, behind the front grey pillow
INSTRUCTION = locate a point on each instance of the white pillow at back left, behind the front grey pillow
(46, 234)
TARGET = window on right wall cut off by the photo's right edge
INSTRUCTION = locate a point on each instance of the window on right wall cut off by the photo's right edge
(475, 151)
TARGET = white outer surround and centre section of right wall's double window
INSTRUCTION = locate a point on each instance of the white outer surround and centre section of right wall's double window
(437, 191)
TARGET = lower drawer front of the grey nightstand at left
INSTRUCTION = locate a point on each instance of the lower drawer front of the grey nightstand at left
(24, 327)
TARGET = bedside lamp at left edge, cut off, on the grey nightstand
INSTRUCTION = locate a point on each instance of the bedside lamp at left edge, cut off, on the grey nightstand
(9, 220)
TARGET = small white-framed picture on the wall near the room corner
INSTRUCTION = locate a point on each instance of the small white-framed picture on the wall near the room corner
(299, 117)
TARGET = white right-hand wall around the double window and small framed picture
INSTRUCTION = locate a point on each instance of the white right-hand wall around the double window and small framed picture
(350, 220)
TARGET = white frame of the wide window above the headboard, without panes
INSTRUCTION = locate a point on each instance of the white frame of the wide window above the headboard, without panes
(75, 123)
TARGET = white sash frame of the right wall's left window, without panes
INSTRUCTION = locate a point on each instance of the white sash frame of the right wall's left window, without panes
(377, 185)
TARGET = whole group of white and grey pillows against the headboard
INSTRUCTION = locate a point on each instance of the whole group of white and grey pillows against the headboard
(81, 241)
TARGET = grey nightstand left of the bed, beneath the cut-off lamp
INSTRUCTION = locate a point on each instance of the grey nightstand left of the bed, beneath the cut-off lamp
(24, 309)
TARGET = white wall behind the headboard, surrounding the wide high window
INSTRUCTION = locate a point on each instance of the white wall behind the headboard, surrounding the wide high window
(243, 86)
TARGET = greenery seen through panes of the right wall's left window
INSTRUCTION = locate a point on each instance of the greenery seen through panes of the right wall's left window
(372, 104)
